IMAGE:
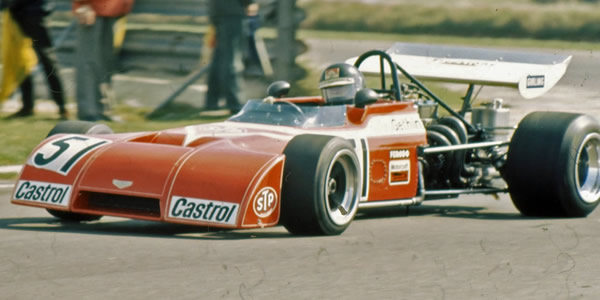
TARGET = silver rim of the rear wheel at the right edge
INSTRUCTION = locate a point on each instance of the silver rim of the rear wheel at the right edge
(587, 171)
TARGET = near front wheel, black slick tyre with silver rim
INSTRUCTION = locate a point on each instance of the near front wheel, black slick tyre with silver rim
(321, 185)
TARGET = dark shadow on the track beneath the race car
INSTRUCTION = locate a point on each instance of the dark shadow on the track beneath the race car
(128, 227)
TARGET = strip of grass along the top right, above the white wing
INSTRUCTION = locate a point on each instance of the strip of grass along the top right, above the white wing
(569, 22)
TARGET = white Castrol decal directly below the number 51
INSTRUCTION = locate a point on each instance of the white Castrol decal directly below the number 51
(43, 192)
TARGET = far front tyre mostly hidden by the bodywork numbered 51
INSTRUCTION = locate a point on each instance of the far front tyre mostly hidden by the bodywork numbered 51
(78, 127)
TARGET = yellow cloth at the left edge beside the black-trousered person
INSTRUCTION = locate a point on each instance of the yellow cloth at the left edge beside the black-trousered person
(18, 56)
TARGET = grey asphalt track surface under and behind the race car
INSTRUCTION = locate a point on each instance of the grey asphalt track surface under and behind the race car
(474, 247)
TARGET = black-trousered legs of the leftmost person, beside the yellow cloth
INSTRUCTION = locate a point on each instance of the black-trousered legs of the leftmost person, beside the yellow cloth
(30, 15)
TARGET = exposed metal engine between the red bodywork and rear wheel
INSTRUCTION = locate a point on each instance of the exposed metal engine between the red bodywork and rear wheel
(459, 157)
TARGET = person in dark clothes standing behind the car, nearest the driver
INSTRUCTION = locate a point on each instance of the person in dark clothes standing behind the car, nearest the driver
(223, 79)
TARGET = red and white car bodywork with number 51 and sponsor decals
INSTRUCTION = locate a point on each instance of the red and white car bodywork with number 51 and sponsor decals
(226, 174)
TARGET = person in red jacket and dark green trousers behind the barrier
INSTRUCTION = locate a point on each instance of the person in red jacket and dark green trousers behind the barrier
(95, 53)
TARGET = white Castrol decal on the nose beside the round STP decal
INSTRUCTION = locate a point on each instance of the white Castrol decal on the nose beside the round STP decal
(203, 210)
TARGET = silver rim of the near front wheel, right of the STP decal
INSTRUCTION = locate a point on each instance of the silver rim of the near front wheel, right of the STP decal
(341, 188)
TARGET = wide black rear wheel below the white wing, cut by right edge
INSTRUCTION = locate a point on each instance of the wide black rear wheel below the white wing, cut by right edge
(553, 165)
